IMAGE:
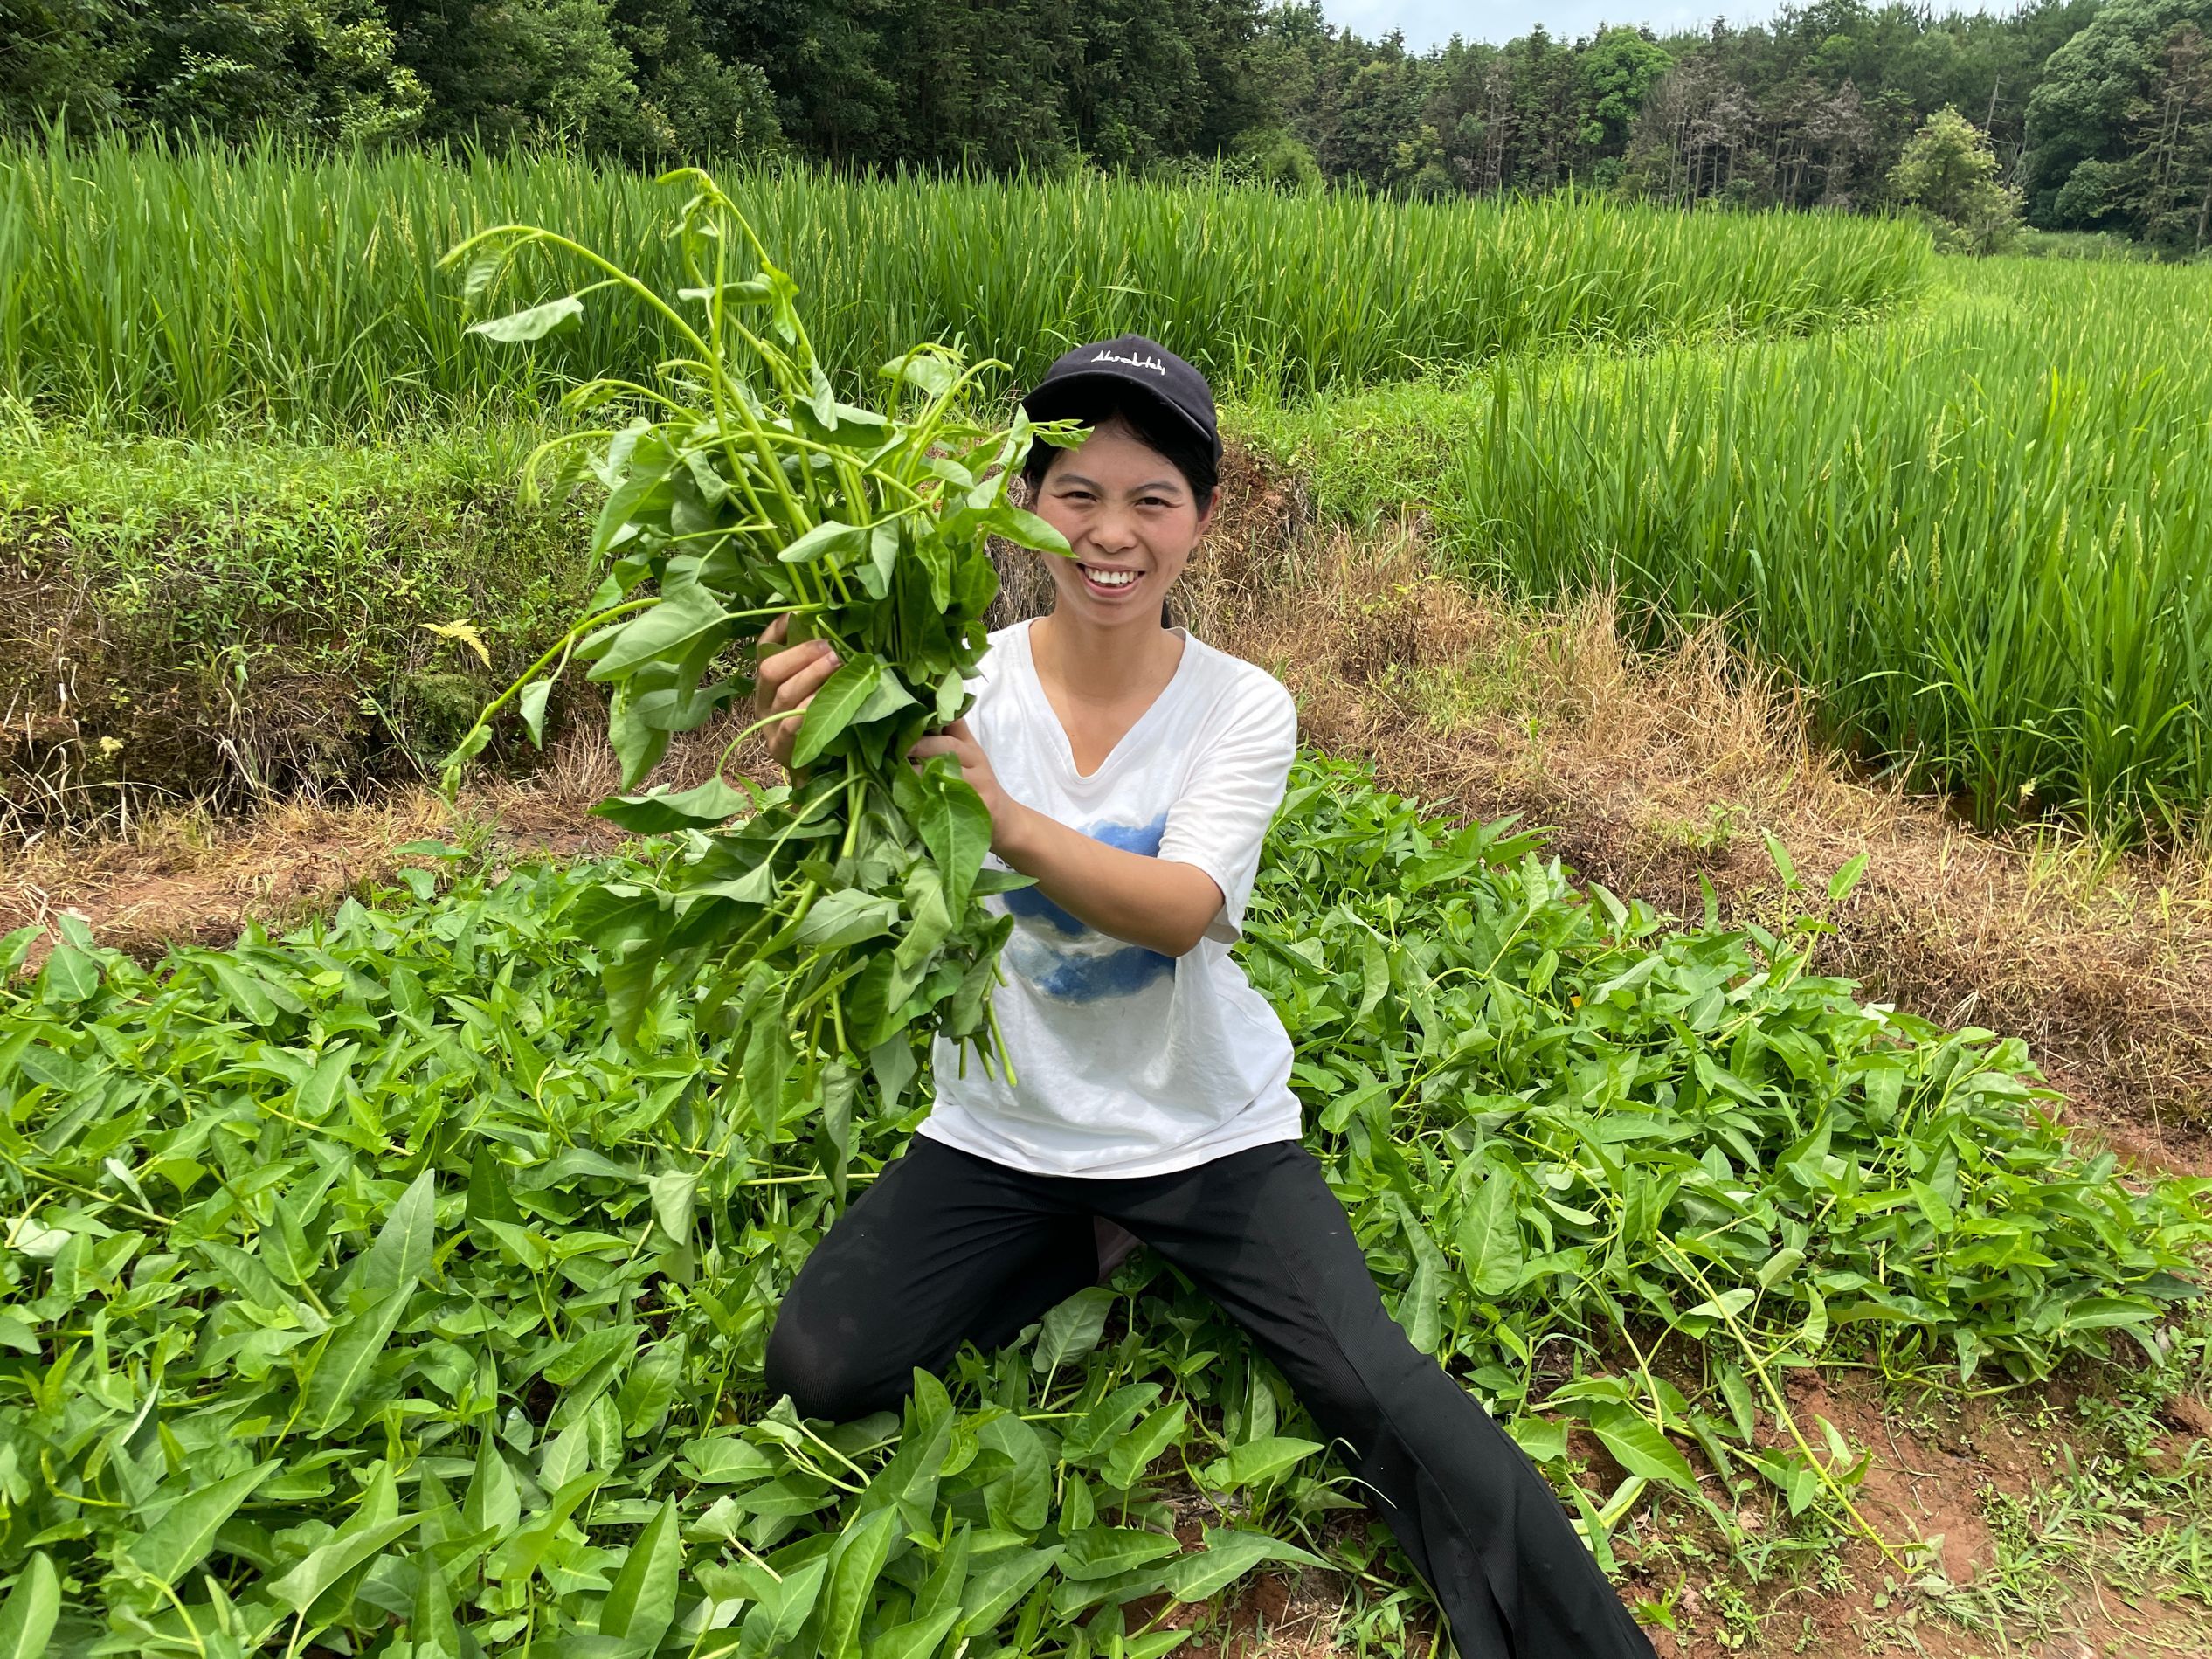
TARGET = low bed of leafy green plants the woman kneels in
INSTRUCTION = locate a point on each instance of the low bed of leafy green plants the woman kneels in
(364, 1291)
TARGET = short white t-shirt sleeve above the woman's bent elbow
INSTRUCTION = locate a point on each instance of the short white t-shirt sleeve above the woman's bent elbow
(1222, 815)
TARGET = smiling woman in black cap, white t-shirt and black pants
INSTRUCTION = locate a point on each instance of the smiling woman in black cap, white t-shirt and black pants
(1131, 771)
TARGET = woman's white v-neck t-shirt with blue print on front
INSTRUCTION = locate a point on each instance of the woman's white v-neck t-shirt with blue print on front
(1127, 1061)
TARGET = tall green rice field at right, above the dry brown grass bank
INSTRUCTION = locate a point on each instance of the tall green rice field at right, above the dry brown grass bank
(1981, 534)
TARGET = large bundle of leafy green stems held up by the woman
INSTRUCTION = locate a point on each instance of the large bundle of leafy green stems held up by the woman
(837, 917)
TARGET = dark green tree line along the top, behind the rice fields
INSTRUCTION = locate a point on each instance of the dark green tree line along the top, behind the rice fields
(2096, 112)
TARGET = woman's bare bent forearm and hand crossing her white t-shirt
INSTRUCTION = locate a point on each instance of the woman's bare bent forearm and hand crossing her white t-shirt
(1158, 904)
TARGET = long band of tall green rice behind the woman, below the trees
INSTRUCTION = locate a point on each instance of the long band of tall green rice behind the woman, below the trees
(187, 289)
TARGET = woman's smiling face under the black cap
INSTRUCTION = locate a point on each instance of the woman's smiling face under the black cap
(1131, 523)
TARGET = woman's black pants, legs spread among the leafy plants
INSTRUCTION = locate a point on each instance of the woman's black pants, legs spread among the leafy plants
(948, 1249)
